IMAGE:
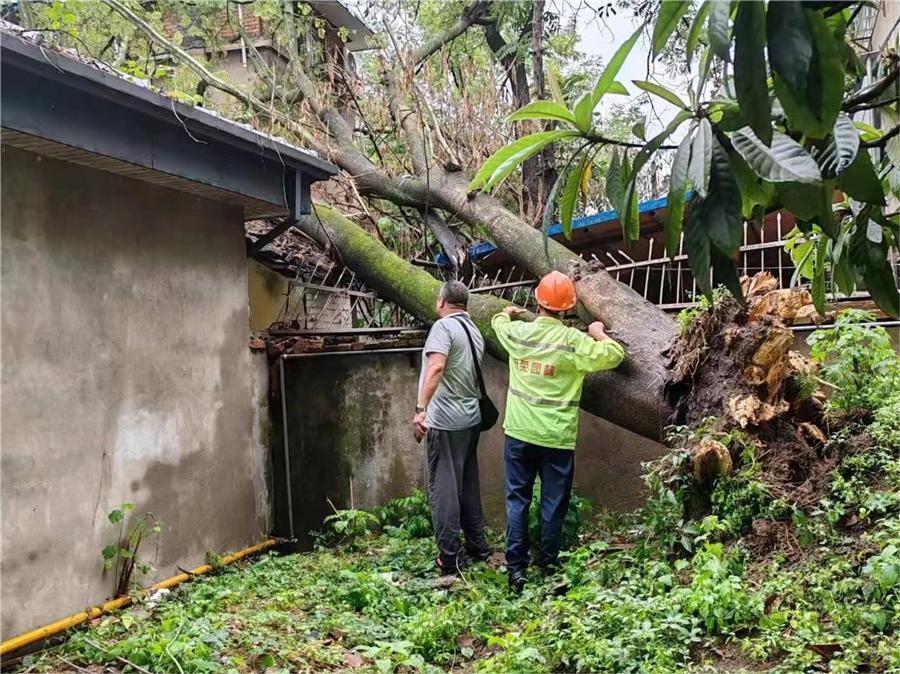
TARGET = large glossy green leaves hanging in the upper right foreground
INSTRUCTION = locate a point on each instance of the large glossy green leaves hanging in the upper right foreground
(780, 134)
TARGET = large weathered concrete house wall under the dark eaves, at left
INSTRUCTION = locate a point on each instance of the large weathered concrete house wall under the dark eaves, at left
(126, 377)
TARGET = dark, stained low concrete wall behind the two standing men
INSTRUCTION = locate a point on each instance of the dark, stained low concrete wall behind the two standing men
(349, 418)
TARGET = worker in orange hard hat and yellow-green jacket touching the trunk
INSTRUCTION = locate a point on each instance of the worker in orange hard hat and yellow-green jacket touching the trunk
(547, 365)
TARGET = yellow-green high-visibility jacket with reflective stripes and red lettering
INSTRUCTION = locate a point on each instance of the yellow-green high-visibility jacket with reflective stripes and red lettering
(547, 364)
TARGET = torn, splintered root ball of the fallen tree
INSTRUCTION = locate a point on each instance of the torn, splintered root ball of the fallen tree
(733, 368)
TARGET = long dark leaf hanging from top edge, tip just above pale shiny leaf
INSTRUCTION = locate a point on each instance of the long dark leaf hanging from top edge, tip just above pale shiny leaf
(750, 67)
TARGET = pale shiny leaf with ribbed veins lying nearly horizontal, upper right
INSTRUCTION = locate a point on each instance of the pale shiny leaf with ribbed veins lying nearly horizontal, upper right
(784, 161)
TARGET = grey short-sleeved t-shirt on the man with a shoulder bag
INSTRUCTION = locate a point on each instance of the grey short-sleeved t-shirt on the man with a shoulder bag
(454, 405)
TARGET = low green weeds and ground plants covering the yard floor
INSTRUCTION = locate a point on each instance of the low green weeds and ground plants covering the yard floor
(761, 581)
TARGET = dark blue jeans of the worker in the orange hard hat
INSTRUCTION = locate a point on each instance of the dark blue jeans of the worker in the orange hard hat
(523, 462)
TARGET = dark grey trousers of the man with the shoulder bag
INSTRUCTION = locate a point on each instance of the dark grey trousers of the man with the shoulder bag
(454, 494)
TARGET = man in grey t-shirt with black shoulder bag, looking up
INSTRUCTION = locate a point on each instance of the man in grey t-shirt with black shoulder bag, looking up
(447, 415)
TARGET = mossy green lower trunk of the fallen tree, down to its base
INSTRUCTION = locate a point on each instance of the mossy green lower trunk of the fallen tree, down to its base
(630, 396)
